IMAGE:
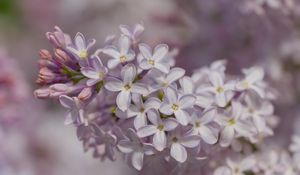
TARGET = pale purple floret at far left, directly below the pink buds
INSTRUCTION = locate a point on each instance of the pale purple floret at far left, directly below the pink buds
(75, 112)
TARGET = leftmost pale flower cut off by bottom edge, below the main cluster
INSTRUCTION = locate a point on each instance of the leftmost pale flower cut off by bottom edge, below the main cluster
(237, 168)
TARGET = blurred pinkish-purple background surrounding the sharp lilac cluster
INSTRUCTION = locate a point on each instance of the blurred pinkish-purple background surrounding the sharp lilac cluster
(33, 138)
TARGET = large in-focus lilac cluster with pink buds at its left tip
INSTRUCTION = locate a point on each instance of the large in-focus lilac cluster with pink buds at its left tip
(128, 96)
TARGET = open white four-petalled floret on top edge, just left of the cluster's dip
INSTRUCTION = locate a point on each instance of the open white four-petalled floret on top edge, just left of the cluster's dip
(155, 59)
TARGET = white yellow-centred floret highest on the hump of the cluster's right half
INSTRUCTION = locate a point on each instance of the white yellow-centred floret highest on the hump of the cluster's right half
(221, 90)
